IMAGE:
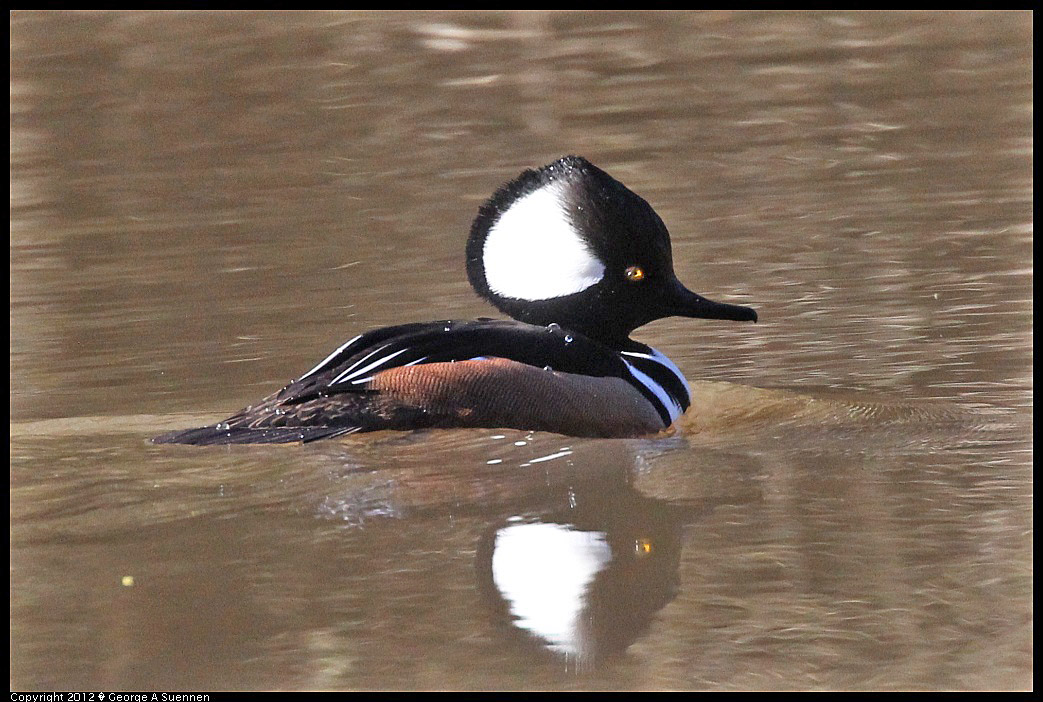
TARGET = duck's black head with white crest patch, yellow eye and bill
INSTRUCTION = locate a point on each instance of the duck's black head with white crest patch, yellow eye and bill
(570, 245)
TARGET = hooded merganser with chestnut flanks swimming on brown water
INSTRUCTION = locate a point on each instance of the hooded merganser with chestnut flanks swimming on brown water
(580, 262)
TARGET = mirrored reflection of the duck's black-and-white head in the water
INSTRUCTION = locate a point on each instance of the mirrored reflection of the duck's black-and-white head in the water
(586, 580)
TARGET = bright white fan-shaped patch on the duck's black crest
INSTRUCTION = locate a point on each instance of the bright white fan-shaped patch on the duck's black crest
(535, 253)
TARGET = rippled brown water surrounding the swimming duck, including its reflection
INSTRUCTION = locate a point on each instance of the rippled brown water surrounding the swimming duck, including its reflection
(205, 205)
